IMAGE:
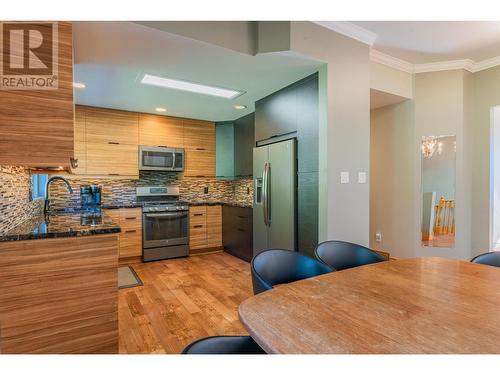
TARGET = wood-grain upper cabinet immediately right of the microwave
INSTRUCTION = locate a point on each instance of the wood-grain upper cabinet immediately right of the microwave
(199, 148)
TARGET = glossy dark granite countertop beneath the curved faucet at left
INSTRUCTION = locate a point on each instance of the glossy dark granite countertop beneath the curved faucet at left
(62, 224)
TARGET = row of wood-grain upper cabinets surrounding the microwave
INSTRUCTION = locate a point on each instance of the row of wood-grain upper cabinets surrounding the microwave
(107, 141)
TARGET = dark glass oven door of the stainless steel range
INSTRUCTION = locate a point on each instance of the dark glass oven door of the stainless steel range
(165, 229)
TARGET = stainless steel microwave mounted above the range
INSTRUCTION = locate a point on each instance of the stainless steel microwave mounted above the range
(161, 159)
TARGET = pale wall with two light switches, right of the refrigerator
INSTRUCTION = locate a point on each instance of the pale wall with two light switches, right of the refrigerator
(346, 146)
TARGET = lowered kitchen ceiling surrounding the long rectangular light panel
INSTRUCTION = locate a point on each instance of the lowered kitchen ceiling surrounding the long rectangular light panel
(110, 58)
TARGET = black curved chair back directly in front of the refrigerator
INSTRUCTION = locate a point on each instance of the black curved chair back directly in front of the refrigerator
(277, 266)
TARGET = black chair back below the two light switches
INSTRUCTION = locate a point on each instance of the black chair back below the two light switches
(342, 255)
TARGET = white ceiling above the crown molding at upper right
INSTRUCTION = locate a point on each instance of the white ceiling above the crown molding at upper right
(420, 42)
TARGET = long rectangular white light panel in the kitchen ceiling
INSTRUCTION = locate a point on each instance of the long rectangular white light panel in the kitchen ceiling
(149, 79)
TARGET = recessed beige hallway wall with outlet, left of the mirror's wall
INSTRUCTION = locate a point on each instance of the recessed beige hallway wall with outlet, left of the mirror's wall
(392, 187)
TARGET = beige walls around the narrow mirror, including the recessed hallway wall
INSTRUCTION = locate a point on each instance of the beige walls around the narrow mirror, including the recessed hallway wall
(442, 105)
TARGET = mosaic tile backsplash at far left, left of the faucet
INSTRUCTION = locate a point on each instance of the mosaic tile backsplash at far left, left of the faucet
(16, 205)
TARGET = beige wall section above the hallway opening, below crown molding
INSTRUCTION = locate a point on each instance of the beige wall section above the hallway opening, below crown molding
(390, 80)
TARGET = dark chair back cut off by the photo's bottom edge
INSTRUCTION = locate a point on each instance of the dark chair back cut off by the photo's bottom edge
(224, 345)
